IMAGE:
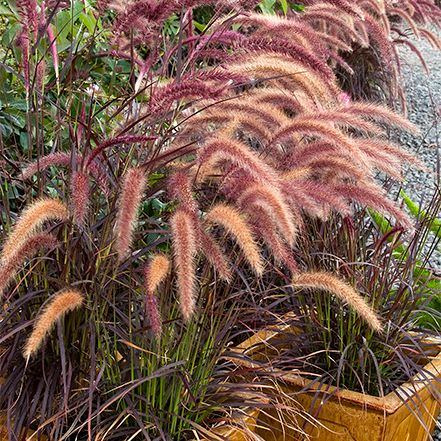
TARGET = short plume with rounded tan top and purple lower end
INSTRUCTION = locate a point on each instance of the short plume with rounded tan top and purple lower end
(154, 274)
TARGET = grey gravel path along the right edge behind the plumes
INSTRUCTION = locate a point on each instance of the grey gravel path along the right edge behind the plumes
(423, 92)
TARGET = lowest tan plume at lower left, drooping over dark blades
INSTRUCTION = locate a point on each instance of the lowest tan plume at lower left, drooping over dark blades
(59, 305)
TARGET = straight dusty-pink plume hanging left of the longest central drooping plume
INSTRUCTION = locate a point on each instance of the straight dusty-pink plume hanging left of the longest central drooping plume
(132, 191)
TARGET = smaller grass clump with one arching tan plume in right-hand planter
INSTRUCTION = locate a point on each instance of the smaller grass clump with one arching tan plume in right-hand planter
(370, 260)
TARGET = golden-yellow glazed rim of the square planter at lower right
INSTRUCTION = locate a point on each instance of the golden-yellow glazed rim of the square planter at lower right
(389, 403)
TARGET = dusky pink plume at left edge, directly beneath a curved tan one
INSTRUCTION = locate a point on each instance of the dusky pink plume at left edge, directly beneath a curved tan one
(27, 249)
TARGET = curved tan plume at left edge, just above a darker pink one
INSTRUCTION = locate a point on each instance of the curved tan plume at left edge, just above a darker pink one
(32, 218)
